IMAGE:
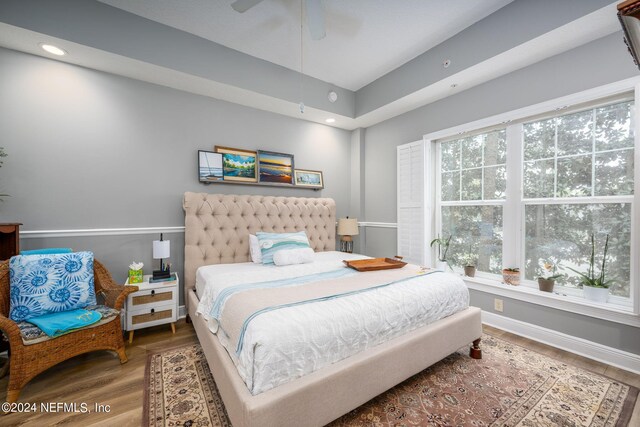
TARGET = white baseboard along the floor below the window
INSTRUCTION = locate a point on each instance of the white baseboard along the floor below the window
(601, 353)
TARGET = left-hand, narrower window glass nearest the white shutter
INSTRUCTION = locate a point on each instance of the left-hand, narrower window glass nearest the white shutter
(473, 190)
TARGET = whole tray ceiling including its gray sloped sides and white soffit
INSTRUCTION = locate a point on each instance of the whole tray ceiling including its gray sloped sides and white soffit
(382, 57)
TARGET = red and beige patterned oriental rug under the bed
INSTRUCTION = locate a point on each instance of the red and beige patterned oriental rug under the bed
(510, 386)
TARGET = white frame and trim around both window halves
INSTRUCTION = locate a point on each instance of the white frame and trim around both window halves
(513, 218)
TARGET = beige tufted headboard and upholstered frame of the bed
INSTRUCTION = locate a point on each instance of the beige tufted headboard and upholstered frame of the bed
(217, 229)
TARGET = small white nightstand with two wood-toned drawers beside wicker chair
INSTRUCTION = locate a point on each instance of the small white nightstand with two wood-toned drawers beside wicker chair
(153, 304)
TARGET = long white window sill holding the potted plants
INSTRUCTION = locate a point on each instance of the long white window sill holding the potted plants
(568, 303)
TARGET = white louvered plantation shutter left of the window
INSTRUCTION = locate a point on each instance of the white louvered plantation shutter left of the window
(411, 164)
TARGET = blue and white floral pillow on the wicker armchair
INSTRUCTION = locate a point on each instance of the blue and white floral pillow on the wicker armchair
(51, 283)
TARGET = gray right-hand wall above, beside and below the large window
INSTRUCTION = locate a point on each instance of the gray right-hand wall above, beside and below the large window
(597, 63)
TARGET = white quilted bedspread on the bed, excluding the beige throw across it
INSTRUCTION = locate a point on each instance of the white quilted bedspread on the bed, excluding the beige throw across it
(287, 343)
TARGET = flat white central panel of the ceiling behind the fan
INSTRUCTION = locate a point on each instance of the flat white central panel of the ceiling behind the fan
(365, 39)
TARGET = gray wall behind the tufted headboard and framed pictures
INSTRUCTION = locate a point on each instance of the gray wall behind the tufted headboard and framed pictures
(92, 150)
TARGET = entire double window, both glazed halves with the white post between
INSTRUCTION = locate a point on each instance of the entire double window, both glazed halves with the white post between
(570, 175)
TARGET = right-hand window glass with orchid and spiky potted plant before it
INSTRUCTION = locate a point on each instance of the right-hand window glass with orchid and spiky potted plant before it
(577, 181)
